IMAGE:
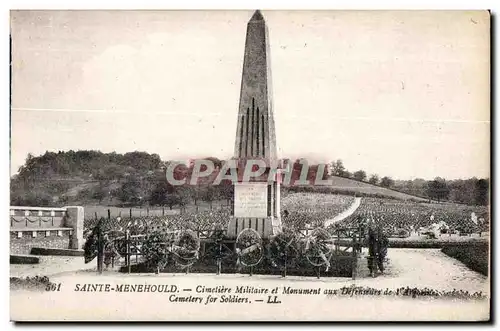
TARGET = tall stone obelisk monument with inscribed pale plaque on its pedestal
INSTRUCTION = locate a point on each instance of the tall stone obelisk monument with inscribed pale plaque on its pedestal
(256, 203)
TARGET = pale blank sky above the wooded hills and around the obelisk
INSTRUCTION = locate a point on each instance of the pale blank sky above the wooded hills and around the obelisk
(400, 94)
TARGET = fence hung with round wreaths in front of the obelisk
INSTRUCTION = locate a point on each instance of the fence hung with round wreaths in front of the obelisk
(305, 248)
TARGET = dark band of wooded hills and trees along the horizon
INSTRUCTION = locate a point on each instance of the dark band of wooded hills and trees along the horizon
(138, 179)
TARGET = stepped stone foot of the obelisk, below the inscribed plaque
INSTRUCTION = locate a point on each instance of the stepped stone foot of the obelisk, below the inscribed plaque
(265, 227)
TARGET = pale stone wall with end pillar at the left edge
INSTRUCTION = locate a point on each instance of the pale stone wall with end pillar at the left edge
(45, 227)
